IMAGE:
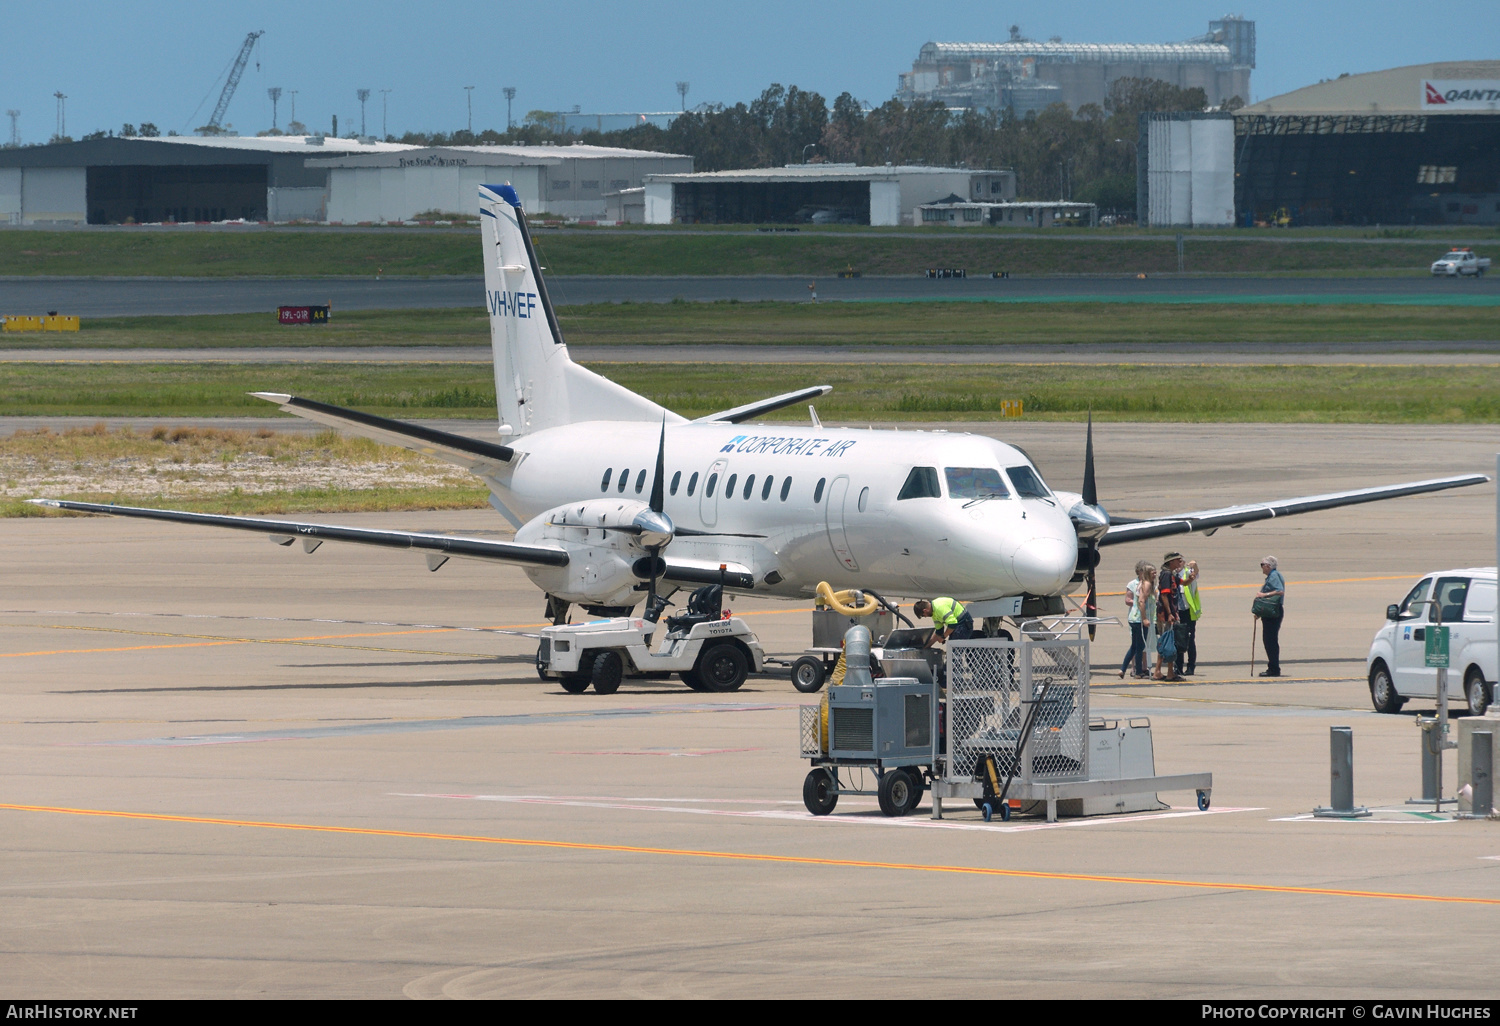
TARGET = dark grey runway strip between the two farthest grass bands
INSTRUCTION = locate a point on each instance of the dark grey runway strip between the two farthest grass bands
(184, 296)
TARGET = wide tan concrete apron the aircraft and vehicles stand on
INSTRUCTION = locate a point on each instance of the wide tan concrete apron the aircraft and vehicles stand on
(238, 770)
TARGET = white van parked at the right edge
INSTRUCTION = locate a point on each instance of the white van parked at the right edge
(1397, 664)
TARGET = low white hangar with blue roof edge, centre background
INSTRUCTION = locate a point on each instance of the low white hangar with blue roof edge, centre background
(865, 196)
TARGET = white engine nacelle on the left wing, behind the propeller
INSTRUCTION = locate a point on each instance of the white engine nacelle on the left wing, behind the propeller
(607, 542)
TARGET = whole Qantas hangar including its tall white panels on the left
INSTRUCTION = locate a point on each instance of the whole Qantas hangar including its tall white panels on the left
(1417, 145)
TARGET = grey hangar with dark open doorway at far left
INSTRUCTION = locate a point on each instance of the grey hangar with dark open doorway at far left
(170, 179)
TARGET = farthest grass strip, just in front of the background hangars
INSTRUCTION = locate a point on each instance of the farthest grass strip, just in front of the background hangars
(227, 254)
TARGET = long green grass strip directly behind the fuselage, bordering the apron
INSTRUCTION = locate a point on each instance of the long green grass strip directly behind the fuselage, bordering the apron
(1316, 394)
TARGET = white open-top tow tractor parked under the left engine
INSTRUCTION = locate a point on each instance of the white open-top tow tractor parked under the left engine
(707, 652)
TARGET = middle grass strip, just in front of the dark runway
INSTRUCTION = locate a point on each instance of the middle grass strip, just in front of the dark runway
(863, 325)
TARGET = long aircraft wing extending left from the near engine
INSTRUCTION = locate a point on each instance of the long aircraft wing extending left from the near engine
(437, 547)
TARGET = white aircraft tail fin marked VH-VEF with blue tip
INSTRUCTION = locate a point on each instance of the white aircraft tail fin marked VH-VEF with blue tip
(536, 385)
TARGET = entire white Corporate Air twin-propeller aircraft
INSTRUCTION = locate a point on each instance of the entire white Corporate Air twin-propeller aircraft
(608, 491)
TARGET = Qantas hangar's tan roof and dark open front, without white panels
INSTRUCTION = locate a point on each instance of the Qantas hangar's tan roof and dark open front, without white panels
(1409, 146)
